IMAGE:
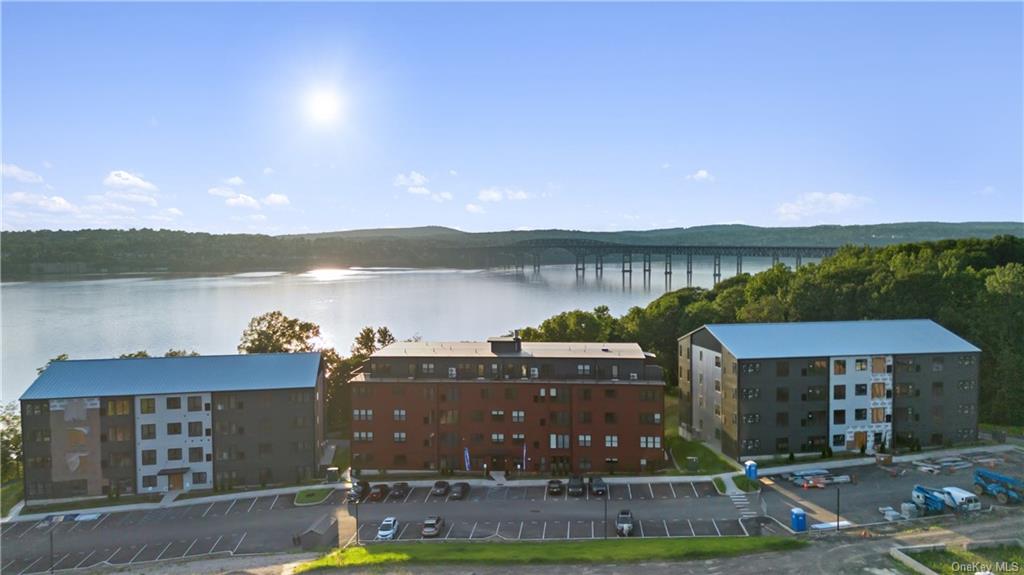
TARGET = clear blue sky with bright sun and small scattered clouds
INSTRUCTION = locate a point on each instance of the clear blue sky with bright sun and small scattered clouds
(487, 117)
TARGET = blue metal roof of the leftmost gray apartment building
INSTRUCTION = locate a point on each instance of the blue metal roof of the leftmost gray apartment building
(103, 378)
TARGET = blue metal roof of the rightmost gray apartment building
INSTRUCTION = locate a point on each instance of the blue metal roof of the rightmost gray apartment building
(832, 339)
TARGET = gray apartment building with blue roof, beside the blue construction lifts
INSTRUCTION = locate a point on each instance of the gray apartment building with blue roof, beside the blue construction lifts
(764, 389)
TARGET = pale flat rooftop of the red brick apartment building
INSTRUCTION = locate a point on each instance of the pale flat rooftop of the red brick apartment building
(540, 350)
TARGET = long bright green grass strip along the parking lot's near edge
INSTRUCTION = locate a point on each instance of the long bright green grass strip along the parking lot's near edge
(613, 551)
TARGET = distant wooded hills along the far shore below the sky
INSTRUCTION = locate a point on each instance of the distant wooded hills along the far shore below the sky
(26, 255)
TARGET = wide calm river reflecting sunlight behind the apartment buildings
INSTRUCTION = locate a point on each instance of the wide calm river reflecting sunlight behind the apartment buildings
(107, 318)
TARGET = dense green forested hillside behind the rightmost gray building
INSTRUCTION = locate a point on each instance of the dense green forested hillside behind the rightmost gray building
(974, 288)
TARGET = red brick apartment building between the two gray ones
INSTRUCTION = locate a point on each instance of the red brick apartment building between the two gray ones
(509, 405)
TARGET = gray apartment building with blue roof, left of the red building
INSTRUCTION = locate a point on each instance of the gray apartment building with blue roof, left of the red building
(166, 424)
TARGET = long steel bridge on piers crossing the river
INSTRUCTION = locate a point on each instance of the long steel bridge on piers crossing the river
(582, 250)
